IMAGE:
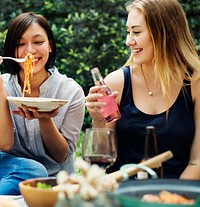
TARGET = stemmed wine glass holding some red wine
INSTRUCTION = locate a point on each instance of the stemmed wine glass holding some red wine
(99, 147)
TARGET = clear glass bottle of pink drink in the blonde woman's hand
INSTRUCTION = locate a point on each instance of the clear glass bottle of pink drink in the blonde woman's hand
(110, 110)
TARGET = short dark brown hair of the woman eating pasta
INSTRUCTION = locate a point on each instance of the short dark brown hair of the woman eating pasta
(15, 31)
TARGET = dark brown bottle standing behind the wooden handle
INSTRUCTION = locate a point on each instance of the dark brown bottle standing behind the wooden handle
(150, 150)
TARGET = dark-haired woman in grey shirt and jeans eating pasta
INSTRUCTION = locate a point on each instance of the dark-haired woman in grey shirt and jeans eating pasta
(44, 142)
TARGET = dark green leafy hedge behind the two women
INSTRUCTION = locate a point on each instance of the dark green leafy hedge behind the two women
(88, 33)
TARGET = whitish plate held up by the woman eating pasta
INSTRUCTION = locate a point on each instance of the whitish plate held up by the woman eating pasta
(40, 104)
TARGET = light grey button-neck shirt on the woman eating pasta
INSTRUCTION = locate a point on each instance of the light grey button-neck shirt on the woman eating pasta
(28, 140)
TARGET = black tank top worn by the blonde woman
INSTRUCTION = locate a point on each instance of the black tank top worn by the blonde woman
(175, 133)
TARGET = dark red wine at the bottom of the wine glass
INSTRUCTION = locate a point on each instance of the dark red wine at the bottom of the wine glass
(103, 161)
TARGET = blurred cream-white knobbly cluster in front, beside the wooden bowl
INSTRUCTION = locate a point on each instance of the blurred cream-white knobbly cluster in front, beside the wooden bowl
(89, 185)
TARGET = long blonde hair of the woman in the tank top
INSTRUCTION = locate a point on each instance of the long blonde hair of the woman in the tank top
(175, 55)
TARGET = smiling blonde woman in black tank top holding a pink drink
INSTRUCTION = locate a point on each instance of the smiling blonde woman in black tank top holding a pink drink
(159, 85)
